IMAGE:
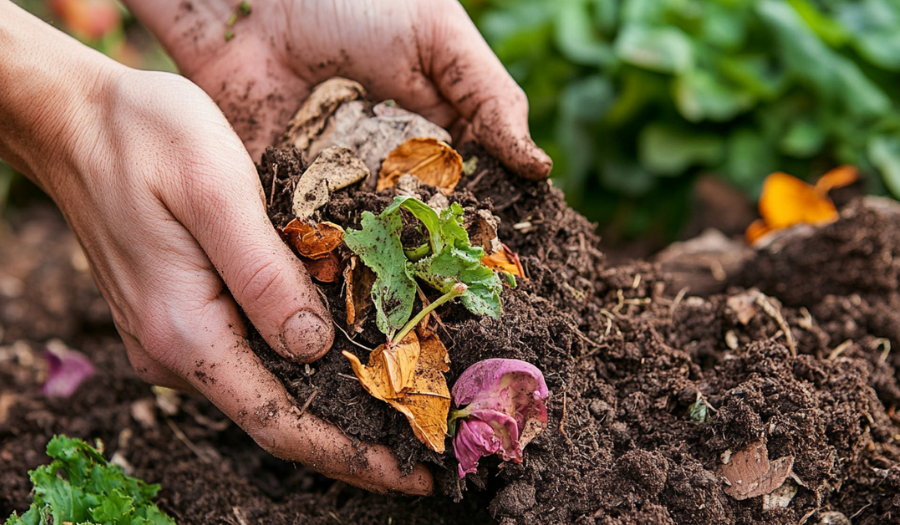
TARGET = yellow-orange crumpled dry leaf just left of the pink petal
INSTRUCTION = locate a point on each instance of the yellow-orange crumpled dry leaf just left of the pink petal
(426, 403)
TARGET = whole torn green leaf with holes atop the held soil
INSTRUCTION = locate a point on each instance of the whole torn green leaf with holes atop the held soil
(448, 260)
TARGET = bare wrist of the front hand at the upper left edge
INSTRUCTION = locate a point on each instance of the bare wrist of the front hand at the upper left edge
(52, 90)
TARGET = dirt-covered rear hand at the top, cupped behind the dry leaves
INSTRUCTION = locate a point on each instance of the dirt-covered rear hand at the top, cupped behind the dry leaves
(428, 56)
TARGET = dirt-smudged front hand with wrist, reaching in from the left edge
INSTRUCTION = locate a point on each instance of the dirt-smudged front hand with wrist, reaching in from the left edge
(166, 202)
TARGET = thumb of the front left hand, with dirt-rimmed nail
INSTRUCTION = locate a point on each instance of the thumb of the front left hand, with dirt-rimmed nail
(229, 222)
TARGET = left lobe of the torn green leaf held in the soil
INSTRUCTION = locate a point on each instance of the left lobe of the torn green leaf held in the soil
(378, 245)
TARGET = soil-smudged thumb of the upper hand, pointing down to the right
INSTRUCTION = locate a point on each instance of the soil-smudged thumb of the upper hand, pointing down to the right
(471, 77)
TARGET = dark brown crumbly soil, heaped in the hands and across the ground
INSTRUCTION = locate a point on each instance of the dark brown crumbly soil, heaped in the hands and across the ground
(625, 362)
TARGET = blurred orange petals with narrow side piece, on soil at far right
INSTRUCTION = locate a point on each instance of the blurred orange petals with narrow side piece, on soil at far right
(787, 200)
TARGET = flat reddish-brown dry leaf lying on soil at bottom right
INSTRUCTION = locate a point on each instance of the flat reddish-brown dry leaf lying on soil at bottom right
(749, 473)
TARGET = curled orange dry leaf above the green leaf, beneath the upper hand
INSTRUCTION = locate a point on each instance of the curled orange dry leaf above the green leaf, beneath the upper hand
(433, 162)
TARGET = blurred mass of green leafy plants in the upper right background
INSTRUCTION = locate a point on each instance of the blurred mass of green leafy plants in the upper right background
(632, 98)
